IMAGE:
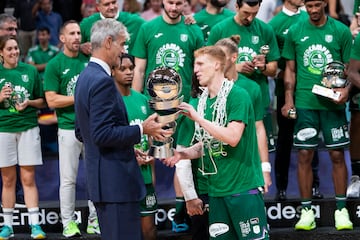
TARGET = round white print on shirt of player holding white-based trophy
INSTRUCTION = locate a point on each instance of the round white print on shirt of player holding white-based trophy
(316, 56)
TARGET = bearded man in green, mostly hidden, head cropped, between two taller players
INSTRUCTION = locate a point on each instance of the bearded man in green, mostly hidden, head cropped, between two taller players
(213, 13)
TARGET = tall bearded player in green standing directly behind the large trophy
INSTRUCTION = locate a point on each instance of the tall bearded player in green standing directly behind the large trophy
(167, 41)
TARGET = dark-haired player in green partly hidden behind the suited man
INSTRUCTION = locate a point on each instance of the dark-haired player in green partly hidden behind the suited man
(138, 110)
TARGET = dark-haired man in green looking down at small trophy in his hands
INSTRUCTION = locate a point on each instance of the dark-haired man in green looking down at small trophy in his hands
(251, 61)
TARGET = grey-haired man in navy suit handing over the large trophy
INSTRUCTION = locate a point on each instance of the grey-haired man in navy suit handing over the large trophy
(114, 180)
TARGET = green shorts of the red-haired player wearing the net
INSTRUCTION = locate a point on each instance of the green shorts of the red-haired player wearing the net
(240, 216)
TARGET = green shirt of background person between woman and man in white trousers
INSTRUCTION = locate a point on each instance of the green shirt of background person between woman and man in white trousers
(38, 55)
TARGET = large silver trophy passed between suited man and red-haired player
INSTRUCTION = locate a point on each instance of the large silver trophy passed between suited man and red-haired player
(164, 87)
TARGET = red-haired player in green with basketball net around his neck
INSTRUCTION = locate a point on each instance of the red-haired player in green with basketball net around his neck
(227, 147)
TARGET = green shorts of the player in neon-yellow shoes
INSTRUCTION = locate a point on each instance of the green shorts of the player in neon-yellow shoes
(333, 125)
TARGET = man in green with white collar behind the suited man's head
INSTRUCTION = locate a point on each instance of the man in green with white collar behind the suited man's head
(110, 9)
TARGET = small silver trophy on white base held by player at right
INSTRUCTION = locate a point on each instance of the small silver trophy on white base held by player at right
(333, 77)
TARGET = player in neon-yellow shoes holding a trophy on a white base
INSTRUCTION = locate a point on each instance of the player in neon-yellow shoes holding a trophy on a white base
(307, 54)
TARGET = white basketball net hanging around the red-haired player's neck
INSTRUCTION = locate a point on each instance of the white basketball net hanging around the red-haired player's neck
(219, 118)
